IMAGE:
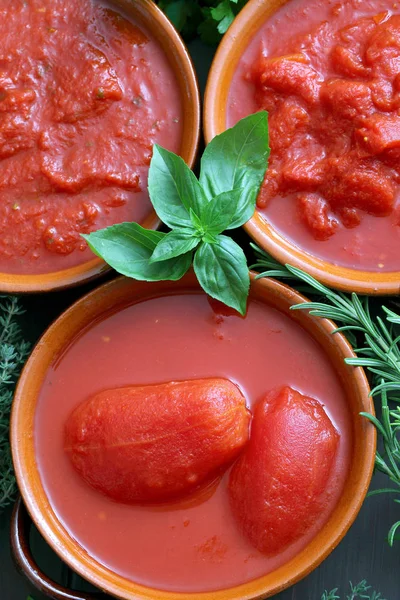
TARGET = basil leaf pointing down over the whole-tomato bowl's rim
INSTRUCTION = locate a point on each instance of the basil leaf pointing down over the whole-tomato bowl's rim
(222, 271)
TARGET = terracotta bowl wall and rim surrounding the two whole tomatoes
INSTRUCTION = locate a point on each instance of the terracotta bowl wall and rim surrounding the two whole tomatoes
(115, 295)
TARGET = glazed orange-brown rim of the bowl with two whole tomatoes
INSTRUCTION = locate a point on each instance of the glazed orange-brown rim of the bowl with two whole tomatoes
(49, 525)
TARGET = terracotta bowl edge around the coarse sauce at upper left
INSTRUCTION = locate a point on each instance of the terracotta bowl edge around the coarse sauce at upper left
(146, 12)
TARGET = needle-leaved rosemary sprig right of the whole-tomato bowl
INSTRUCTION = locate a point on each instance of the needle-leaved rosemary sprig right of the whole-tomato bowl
(379, 355)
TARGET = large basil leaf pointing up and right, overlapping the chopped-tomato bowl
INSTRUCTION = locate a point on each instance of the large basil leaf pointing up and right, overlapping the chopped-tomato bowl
(237, 158)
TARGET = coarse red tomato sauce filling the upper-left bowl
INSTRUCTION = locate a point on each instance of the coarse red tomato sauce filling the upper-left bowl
(84, 93)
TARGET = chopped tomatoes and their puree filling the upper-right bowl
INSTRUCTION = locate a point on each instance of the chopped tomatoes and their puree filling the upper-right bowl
(328, 73)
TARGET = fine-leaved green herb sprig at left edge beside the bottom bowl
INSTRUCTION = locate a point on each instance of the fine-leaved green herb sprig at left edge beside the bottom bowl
(13, 352)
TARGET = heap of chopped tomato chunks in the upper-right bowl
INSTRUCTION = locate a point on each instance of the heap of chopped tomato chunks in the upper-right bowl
(334, 122)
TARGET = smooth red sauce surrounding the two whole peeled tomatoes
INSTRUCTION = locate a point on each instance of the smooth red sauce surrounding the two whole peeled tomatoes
(194, 547)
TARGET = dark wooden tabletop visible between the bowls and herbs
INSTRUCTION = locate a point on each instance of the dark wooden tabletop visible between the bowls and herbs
(363, 554)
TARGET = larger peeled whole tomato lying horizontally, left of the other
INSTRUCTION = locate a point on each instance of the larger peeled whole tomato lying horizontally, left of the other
(154, 443)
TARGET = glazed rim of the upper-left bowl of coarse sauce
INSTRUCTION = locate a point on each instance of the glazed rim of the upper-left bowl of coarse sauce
(14, 283)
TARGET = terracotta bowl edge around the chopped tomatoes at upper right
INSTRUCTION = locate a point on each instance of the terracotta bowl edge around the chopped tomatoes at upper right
(249, 21)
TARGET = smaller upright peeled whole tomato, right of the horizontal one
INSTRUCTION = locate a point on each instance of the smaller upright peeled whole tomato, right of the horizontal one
(277, 487)
